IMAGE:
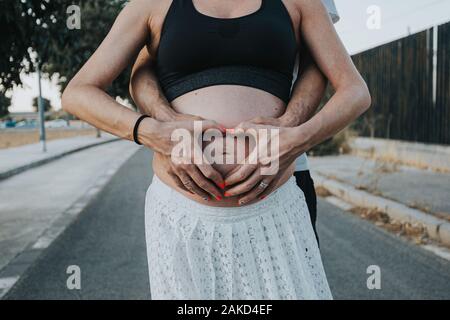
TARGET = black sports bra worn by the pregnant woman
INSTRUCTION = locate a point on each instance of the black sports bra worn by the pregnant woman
(256, 50)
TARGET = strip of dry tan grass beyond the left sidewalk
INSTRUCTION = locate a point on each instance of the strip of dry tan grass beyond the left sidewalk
(10, 139)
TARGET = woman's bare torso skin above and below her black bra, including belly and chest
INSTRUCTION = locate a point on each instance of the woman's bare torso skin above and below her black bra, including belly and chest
(228, 105)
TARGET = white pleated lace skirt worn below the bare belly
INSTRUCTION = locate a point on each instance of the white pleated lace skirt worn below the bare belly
(265, 250)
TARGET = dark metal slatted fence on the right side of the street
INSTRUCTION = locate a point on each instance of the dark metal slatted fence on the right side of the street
(411, 99)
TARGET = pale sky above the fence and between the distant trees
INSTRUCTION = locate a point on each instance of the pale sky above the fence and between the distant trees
(364, 24)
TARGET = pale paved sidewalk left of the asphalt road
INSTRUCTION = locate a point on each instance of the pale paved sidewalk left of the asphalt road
(32, 200)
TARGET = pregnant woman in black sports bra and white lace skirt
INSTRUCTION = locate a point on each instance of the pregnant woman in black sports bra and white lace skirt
(227, 62)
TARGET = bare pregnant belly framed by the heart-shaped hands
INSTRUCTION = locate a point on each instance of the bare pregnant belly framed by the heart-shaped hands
(229, 105)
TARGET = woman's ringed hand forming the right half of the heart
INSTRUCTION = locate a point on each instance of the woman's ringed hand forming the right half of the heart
(262, 170)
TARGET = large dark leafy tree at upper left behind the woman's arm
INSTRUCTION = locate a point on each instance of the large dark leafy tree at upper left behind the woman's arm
(31, 27)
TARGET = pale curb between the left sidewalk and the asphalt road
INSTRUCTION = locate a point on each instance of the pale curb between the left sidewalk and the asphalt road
(16, 268)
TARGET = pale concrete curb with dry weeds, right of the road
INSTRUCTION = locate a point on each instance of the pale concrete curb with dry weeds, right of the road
(438, 229)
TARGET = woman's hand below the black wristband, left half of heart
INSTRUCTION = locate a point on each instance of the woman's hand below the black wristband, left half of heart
(201, 179)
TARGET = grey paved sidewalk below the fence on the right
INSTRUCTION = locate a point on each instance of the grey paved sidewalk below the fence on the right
(421, 189)
